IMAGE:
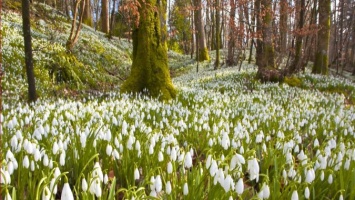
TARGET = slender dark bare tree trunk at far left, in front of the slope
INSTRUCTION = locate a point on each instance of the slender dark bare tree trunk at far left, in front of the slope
(28, 50)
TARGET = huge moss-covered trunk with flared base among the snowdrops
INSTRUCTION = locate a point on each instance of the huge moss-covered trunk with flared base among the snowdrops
(150, 71)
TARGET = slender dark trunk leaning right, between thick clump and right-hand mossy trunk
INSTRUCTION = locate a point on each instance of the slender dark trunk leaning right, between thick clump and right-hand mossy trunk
(295, 66)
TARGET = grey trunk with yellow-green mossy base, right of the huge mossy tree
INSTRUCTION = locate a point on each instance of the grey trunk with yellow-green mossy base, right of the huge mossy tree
(200, 32)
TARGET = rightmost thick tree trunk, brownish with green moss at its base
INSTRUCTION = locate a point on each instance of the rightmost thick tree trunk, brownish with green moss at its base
(321, 58)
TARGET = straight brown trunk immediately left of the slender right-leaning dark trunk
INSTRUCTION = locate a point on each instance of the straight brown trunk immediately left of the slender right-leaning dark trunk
(283, 25)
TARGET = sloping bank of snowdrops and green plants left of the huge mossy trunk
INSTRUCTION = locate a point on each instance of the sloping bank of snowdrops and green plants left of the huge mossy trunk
(96, 62)
